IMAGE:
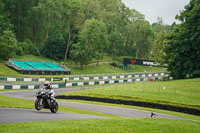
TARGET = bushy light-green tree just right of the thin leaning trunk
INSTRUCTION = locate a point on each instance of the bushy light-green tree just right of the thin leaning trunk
(92, 42)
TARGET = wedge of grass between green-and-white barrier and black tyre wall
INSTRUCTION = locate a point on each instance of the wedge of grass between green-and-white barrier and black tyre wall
(185, 93)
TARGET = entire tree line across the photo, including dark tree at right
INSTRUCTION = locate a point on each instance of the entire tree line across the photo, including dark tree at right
(85, 29)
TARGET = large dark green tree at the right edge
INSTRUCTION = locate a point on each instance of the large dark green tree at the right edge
(183, 43)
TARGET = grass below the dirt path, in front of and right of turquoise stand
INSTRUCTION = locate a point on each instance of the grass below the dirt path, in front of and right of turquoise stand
(100, 69)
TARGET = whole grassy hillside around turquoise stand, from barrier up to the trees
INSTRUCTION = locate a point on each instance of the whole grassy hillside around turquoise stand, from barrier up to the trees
(94, 69)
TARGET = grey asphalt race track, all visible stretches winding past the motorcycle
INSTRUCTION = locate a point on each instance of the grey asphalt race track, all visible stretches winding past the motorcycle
(11, 115)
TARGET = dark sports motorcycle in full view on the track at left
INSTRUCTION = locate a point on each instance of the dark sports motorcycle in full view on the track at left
(46, 99)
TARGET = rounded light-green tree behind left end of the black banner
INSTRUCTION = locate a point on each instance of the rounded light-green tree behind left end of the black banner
(140, 38)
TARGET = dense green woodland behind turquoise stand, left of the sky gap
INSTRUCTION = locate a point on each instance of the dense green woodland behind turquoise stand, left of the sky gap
(62, 29)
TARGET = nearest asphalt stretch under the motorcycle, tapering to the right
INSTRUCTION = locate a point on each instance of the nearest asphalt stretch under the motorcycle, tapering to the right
(15, 115)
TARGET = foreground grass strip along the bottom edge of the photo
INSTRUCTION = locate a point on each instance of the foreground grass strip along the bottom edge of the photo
(147, 125)
